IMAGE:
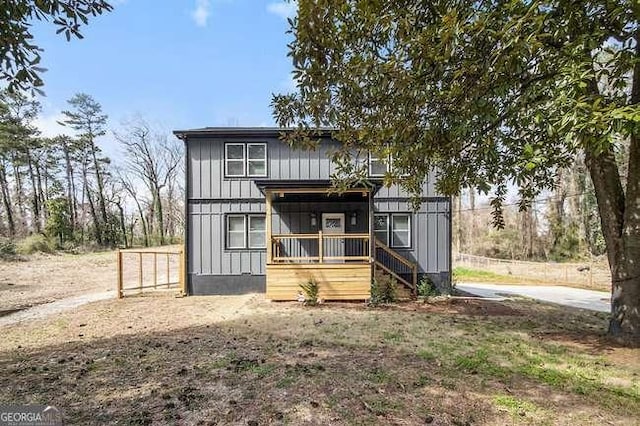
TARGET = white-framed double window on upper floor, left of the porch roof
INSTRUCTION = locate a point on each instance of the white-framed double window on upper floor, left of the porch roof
(245, 159)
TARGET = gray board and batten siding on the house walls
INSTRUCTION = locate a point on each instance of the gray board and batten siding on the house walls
(211, 196)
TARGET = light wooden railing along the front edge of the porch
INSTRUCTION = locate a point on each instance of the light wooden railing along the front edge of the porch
(319, 248)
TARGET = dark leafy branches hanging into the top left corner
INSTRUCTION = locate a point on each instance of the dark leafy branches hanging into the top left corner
(19, 55)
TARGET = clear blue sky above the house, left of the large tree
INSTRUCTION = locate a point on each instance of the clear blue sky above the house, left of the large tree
(179, 63)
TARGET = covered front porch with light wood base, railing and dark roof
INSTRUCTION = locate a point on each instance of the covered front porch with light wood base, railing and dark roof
(314, 233)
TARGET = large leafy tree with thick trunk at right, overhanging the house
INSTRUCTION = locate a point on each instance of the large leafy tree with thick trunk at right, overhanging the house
(488, 93)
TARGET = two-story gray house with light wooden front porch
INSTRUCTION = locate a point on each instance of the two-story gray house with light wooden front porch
(260, 217)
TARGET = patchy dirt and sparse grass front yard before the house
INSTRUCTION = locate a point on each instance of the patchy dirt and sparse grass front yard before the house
(159, 359)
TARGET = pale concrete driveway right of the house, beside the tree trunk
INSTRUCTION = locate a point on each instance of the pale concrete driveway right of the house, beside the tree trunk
(578, 298)
